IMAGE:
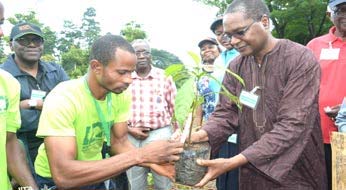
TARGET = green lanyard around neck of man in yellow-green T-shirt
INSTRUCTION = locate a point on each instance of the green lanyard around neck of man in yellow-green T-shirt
(105, 125)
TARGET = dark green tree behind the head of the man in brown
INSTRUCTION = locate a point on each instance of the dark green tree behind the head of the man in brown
(297, 20)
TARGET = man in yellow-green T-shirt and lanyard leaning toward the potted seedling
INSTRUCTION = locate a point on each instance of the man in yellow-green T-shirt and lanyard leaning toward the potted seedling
(80, 114)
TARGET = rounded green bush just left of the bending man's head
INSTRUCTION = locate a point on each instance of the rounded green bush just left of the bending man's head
(75, 62)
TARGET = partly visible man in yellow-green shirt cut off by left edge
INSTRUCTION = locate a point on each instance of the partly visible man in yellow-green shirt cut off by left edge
(12, 157)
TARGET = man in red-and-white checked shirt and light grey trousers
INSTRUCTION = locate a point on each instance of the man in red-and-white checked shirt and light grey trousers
(153, 97)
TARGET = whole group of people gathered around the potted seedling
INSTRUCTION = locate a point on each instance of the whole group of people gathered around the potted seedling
(117, 119)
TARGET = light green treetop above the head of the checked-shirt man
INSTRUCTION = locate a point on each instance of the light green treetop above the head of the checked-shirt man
(133, 31)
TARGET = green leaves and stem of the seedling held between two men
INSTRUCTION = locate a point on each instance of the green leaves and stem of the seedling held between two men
(188, 99)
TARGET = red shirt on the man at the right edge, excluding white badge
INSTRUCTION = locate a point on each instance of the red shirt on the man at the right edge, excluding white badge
(333, 78)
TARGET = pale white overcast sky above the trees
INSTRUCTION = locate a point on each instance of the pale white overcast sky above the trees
(172, 25)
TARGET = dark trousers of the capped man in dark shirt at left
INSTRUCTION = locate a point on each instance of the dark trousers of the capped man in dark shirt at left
(31, 144)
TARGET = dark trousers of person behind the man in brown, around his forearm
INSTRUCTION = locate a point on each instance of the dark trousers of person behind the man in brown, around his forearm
(229, 180)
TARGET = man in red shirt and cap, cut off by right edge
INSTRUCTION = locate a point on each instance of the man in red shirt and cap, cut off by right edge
(330, 50)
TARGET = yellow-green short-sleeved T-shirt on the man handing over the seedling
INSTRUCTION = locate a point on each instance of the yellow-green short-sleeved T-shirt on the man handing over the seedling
(70, 111)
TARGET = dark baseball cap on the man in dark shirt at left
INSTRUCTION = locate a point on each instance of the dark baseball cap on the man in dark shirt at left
(25, 28)
